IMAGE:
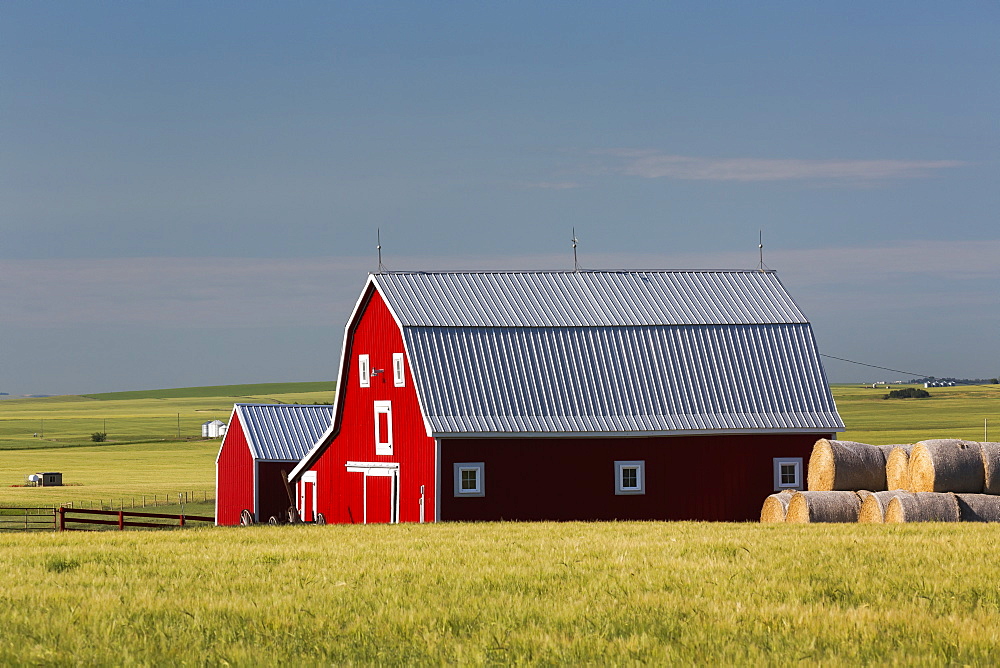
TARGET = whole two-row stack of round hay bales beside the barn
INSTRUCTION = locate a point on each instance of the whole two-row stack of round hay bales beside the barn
(946, 480)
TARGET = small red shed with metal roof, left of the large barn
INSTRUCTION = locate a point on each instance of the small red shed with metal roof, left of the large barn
(262, 441)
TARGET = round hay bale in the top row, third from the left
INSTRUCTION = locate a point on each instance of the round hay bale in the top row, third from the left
(947, 465)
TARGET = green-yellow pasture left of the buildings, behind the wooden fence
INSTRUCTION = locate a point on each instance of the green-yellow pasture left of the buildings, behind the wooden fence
(142, 455)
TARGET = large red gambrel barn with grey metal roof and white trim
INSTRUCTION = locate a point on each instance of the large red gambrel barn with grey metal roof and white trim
(586, 395)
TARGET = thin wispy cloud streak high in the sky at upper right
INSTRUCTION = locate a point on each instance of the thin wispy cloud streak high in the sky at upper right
(651, 164)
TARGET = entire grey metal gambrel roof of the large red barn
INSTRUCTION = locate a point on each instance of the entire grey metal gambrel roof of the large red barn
(599, 352)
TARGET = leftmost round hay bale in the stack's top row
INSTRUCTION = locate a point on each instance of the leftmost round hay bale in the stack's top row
(845, 465)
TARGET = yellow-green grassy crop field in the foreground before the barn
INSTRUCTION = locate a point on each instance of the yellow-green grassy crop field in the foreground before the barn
(476, 594)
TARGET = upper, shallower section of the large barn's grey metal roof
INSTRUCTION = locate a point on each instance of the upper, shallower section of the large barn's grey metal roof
(587, 298)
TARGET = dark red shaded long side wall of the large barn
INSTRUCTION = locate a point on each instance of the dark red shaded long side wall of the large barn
(720, 478)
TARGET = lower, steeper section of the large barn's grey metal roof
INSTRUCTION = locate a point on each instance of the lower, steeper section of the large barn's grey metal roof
(620, 379)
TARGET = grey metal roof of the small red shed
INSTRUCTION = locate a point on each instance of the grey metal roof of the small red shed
(282, 432)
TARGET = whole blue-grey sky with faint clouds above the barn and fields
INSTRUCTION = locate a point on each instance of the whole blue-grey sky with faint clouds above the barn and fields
(189, 192)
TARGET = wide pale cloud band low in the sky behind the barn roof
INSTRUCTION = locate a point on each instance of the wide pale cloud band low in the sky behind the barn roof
(234, 292)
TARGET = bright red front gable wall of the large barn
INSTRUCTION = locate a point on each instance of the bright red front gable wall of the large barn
(341, 494)
